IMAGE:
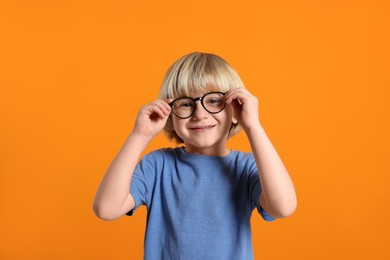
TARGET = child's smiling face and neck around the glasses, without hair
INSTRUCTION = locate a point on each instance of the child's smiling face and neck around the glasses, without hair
(203, 132)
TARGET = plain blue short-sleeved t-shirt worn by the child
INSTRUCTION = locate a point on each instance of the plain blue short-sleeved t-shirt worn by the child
(199, 207)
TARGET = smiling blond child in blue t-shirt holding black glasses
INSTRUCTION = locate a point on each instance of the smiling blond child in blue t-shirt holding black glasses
(199, 197)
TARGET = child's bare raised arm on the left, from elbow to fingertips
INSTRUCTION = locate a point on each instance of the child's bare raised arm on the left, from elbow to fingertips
(113, 198)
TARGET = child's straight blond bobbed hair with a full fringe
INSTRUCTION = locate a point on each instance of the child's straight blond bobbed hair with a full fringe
(198, 73)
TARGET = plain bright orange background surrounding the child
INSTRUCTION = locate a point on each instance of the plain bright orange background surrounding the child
(74, 73)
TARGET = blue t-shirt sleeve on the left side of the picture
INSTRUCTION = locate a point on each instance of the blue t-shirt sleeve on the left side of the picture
(141, 182)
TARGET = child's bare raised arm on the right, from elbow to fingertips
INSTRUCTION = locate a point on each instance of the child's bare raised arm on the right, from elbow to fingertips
(278, 196)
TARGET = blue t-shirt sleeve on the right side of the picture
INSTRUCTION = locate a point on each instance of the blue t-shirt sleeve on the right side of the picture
(255, 191)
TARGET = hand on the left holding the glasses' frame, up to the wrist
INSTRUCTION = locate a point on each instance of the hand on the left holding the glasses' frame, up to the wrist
(152, 118)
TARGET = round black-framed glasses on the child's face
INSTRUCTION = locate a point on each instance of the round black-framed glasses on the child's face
(184, 107)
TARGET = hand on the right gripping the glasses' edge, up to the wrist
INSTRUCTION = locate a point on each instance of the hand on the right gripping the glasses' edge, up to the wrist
(245, 106)
